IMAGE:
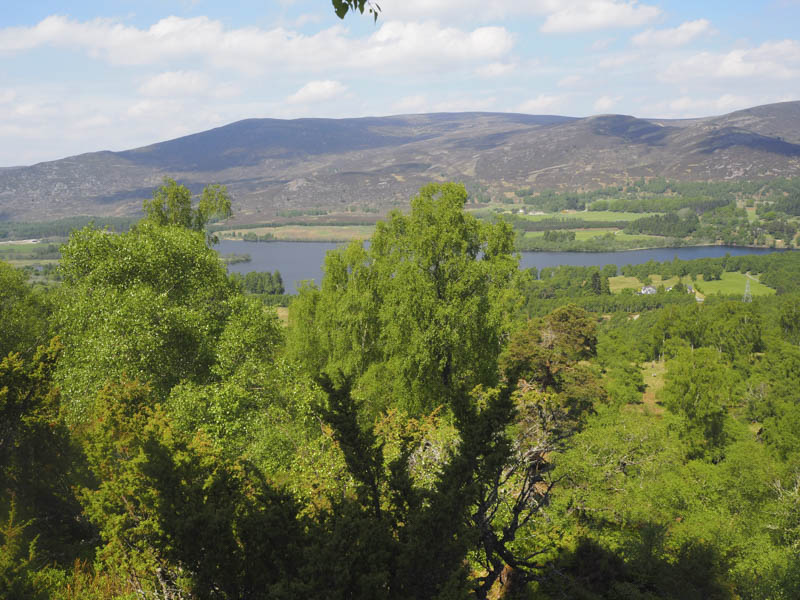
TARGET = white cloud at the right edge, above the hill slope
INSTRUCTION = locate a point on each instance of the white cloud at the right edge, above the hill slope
(771, 60)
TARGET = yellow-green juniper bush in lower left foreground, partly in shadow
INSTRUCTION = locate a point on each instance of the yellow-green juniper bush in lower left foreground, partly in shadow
(175, 515)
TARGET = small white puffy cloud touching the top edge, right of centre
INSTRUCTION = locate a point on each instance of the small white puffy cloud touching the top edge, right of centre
(591, 15)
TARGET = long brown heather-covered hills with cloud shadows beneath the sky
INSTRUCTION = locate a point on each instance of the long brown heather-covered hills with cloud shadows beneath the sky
(272, 165)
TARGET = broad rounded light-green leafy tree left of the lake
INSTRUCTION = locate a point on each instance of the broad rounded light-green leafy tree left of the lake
(149, 303)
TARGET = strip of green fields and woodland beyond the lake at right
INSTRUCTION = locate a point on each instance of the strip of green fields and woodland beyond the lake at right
(656, 213)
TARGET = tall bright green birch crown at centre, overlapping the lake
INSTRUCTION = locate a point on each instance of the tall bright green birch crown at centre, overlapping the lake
(419, 316)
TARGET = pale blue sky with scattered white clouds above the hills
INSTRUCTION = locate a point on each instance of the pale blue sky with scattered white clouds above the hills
(82, 76)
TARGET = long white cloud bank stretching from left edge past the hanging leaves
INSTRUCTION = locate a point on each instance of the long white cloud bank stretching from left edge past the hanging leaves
(252, 50)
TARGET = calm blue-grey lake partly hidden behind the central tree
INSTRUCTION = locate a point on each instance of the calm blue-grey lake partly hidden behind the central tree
(298, 261)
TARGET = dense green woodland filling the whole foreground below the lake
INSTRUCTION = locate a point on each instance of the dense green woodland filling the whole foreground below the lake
(432, 421)
